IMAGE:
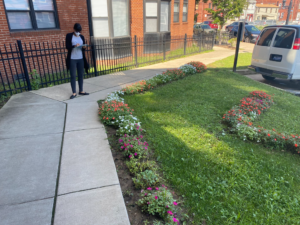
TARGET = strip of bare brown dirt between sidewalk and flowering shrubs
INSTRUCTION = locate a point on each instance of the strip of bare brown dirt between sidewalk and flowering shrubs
(130, 194)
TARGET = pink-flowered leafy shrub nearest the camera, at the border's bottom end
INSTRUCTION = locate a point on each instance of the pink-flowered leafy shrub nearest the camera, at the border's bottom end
(158, 201)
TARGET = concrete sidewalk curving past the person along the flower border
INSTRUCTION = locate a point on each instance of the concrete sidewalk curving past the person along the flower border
(55, 161)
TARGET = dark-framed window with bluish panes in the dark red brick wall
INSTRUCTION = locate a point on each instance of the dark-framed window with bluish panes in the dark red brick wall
(31, 14)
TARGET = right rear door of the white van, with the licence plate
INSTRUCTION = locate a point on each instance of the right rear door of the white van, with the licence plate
(282, 55)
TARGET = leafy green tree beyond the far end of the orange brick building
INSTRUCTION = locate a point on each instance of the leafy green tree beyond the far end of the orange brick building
(226, 9)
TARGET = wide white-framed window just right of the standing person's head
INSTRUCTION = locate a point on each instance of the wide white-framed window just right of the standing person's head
(110, 18)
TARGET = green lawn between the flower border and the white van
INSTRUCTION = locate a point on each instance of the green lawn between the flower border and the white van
(223, 179)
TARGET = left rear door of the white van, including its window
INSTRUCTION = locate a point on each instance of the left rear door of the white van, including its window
(261, 51)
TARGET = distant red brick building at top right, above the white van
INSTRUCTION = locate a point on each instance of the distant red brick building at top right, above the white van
(283, 8)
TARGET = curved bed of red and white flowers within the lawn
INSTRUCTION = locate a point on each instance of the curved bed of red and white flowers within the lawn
(240, 119)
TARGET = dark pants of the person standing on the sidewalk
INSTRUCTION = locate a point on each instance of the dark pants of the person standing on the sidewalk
(79, 65)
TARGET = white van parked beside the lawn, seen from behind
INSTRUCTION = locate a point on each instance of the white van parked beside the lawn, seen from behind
(276, 53)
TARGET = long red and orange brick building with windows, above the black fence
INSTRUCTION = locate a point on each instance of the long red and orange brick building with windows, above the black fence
(51, 20)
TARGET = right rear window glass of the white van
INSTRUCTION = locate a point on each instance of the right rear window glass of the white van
(284, 38)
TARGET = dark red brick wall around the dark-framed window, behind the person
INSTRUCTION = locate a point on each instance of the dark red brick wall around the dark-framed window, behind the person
(69, 12)
